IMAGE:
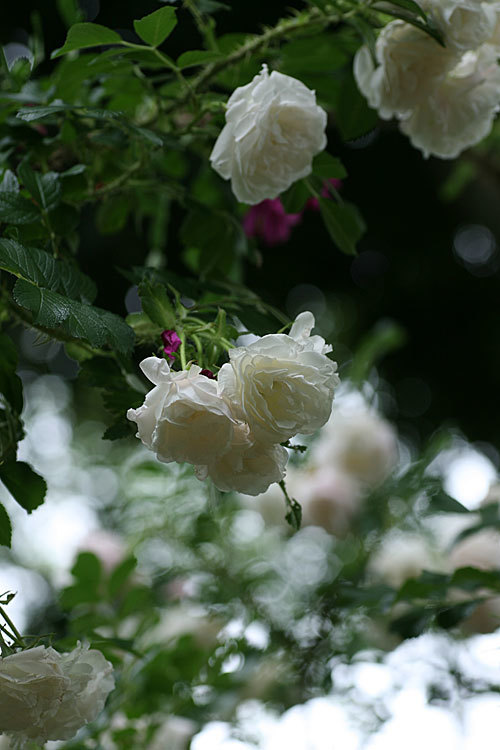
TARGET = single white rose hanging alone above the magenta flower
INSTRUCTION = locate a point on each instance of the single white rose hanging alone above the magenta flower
(273, 129)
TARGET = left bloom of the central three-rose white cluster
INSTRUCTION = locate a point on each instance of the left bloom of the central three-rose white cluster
(183, 418)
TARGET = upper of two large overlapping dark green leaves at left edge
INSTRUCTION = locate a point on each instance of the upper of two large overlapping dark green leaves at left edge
(42, 269)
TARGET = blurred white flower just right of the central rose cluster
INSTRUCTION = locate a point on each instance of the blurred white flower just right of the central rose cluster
(358, 441)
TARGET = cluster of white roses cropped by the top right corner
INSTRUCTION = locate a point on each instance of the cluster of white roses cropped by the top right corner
(444, 97)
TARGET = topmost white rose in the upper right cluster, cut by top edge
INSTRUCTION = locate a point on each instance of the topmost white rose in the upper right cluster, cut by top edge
(466, 24)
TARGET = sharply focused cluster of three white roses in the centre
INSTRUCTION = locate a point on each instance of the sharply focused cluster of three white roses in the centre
(230, 429)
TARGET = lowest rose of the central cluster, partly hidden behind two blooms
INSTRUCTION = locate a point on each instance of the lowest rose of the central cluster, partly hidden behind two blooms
(248, 466)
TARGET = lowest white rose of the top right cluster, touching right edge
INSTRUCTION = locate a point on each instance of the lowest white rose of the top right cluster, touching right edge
(460, 110)
